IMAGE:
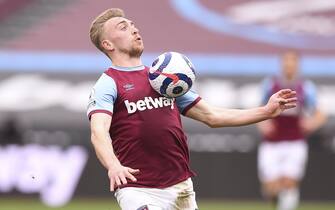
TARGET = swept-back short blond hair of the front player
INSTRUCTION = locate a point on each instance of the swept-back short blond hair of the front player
(97, 25)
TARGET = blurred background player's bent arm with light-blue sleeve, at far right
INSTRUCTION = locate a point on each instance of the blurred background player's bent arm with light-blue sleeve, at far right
(315, 117)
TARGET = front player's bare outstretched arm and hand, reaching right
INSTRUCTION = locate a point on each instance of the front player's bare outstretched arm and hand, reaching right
(220, 117)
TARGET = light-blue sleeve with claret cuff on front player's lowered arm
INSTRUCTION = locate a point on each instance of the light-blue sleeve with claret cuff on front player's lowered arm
(103, 96)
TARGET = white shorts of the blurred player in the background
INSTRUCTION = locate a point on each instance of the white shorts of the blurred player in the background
(282, 159)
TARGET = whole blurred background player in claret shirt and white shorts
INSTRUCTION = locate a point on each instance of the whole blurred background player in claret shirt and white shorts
(283, 153)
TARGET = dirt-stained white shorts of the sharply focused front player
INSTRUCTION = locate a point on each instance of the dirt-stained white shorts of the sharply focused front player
(177, 197)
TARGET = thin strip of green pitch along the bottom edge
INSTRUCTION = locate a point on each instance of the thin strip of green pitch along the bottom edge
(104, 204)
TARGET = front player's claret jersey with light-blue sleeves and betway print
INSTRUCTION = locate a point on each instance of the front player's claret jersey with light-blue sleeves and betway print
(146, 128)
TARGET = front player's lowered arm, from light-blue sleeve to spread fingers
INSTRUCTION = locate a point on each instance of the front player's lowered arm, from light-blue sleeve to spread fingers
(100, 109)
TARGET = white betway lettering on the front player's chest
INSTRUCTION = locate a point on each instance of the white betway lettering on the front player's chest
(148, 103)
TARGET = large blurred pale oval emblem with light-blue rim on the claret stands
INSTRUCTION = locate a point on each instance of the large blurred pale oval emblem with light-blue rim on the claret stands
(305, 24)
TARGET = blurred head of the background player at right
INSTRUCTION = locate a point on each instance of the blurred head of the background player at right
(290, 65)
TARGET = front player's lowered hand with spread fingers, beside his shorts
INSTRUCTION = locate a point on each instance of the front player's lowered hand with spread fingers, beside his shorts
(119, 174)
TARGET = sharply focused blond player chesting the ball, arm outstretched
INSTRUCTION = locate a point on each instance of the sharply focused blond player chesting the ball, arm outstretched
(137, 134)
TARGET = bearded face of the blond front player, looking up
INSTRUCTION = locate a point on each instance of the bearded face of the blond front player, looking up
(123, 36)
